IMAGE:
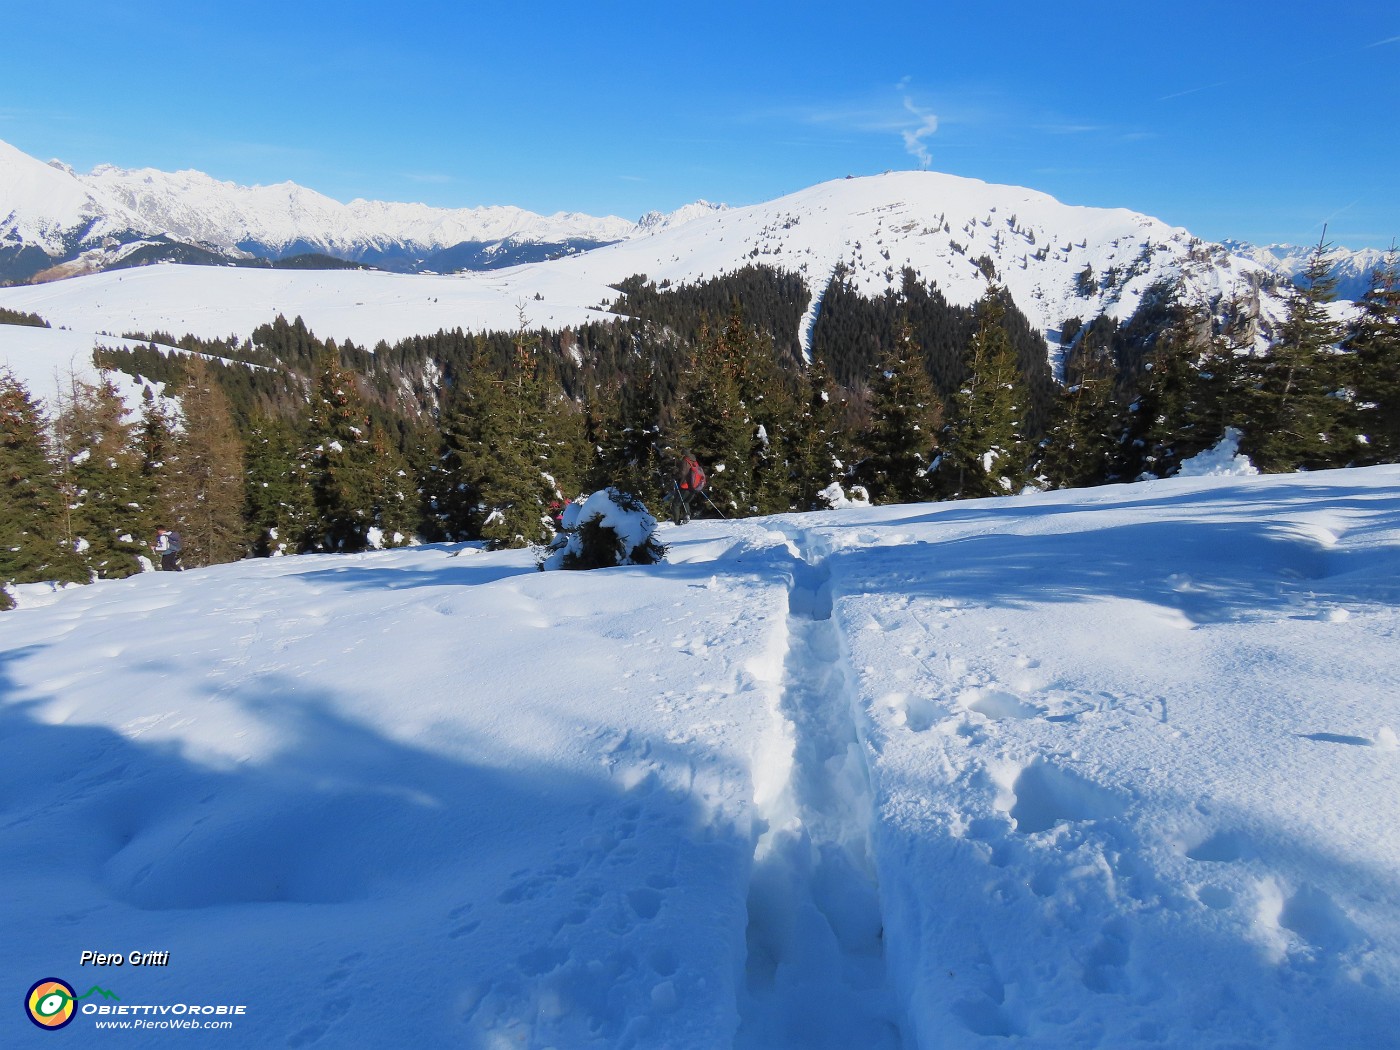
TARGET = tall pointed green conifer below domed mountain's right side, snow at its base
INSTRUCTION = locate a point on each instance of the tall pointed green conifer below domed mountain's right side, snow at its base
(982, 450)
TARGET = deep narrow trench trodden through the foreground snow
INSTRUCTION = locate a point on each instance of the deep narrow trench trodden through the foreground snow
(815, 971)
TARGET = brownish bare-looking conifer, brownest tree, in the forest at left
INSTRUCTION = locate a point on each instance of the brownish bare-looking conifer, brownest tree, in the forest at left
(204, 485)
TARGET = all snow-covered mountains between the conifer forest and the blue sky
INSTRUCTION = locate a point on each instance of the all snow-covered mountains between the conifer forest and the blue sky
(1059, 262)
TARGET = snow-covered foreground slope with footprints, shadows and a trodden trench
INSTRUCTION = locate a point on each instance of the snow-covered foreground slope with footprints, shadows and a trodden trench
(1090, 769)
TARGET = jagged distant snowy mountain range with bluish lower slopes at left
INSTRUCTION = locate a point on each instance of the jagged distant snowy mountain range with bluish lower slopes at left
(59, 223)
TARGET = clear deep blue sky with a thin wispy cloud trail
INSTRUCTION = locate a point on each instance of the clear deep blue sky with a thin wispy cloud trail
(1230, 118)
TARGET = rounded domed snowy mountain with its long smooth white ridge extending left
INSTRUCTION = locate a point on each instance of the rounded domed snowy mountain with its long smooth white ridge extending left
(1058, 261)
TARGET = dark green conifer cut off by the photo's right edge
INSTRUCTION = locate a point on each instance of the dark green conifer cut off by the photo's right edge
(1375, 344)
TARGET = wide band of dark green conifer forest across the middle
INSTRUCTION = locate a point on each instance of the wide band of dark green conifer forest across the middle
(285, 443)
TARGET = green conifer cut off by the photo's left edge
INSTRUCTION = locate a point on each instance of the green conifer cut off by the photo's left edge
(31, 506)
